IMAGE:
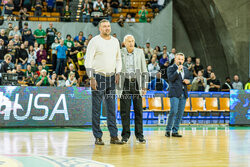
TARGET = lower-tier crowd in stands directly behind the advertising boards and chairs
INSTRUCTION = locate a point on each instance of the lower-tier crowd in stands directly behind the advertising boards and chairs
(43, 57)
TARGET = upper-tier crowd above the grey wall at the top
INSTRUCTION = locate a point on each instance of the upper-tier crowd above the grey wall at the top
(96, 9)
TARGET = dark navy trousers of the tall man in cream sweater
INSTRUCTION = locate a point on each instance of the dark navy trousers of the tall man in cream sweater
(106, 90)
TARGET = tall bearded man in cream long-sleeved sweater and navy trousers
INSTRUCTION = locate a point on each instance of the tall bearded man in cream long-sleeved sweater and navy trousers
(103, 65)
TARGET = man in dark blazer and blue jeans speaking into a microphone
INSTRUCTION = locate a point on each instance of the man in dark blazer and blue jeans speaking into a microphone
(178, 80)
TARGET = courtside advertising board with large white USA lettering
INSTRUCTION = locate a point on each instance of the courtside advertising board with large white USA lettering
(44, 106)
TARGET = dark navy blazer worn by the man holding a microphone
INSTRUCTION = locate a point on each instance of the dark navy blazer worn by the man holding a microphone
(175, 81)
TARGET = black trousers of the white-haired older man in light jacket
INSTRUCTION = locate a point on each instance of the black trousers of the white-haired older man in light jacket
(130, 90)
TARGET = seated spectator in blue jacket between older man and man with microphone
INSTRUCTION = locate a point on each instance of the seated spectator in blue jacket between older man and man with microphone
(158, 84)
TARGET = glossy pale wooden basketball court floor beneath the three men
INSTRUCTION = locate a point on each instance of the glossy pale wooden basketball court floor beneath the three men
(200, 146)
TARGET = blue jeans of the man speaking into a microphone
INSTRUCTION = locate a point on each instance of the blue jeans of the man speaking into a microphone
(176, 112)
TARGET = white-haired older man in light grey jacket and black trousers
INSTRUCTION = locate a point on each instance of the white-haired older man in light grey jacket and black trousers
(133, 84)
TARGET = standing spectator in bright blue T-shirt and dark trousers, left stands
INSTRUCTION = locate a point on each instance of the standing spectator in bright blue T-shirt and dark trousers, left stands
(61, 58)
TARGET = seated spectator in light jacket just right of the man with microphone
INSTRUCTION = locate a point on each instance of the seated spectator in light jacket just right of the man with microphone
(199, 83)
